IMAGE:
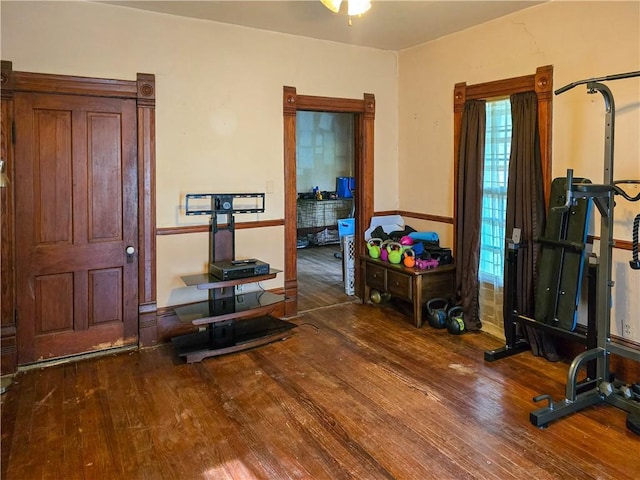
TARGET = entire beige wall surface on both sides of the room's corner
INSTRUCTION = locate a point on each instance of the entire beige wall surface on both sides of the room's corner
(219, 112)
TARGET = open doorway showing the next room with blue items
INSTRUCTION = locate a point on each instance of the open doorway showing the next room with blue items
(325, 143)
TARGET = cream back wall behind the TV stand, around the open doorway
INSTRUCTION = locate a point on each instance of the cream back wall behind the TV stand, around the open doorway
(219, 107)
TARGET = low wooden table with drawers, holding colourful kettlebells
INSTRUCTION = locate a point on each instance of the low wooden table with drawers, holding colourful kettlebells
(416, 286)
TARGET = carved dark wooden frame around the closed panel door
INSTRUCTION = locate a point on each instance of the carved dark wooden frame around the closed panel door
(143, 91)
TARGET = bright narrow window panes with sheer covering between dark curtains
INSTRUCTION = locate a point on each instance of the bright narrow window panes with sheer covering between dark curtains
(494, 188)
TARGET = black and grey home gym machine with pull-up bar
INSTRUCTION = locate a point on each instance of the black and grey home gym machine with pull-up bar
(556, 313)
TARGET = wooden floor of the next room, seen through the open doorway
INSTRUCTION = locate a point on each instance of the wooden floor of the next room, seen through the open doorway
(320, 281)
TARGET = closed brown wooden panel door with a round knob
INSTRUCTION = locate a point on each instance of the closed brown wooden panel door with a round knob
(76, 215)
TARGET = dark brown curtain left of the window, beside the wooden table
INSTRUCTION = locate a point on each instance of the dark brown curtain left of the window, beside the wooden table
(469, 205)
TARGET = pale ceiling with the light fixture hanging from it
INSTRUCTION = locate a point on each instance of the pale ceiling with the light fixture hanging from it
(388, 25)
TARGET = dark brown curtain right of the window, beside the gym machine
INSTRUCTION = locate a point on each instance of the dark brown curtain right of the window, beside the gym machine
(525, 210)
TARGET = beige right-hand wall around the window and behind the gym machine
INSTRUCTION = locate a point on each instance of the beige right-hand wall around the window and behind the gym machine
(581, 40)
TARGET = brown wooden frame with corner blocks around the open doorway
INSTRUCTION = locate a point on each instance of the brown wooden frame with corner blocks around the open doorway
(364, 122)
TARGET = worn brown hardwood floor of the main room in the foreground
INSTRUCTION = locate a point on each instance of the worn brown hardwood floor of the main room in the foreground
(357, 392)
